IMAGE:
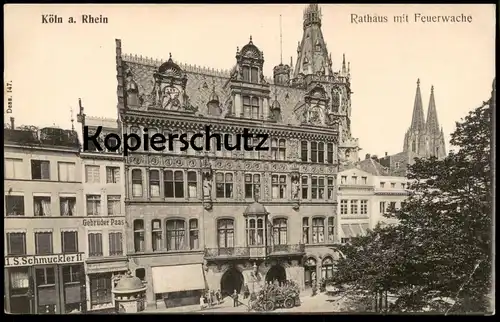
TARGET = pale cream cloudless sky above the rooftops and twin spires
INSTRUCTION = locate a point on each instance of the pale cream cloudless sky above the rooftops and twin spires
(51, 66)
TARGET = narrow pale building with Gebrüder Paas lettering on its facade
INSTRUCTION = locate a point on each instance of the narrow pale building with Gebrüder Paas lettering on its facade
(103, 219)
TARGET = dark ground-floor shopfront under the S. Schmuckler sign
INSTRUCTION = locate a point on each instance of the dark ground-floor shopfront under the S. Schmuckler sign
(48, 284)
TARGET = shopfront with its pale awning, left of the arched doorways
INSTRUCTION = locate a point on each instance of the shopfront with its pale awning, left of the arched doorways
(178, 285)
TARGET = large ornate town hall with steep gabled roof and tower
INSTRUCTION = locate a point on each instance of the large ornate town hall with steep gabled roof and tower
(229, 217)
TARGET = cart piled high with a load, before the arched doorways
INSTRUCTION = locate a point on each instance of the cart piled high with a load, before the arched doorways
(271, 297)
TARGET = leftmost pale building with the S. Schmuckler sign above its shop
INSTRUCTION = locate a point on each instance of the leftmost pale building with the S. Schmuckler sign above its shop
(43, 236)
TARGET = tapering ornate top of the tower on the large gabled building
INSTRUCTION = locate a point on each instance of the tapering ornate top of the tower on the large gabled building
(312, 55)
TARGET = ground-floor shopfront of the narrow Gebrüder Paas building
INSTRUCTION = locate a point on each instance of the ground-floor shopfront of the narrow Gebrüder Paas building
(102, 274)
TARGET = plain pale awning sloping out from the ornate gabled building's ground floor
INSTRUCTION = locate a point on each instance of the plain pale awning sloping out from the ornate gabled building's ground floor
(178, 278)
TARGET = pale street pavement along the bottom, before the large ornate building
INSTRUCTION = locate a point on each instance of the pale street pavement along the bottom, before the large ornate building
(319, 303)
